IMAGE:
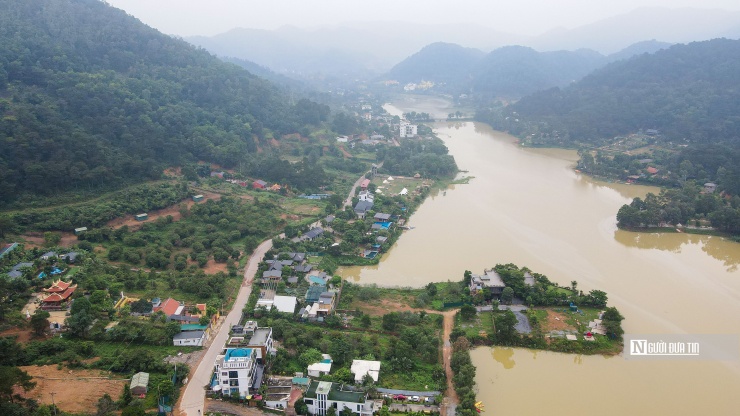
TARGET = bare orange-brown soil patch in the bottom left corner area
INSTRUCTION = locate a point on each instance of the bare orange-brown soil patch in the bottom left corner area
(75, 391)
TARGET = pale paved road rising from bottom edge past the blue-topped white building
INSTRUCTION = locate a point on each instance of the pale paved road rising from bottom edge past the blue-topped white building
(191, 402)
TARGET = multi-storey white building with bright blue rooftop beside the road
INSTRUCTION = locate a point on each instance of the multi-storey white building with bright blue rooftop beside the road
(237, 372)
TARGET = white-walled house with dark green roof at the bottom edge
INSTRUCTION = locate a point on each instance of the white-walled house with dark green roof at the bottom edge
(323, 395)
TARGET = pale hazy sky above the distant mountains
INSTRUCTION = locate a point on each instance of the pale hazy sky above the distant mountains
(527, 17)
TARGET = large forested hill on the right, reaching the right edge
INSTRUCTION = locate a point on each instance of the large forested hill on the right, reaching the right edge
(687, 92)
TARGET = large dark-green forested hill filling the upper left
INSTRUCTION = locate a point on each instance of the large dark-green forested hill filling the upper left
(90, 97)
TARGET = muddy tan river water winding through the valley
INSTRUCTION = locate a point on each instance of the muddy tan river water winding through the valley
(528, 207)
